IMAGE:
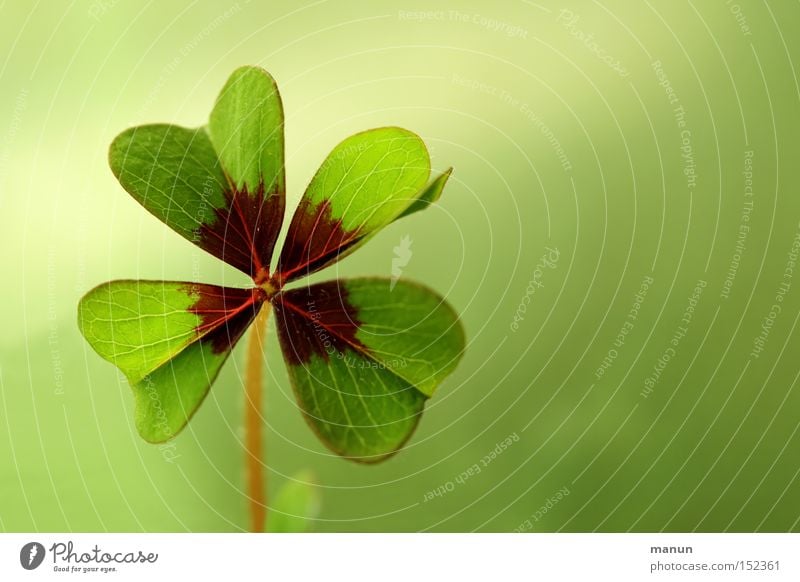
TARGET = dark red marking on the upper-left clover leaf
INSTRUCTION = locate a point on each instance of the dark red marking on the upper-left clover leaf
(243, 233)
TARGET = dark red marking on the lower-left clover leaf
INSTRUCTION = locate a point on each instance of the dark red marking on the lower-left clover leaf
(225, 313)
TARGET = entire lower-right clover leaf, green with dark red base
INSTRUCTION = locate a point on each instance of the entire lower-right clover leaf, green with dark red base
(363, 358)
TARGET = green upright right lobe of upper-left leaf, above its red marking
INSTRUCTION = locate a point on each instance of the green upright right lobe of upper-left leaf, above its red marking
(246, 128)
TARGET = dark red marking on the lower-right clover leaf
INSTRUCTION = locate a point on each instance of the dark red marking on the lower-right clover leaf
(316, 320)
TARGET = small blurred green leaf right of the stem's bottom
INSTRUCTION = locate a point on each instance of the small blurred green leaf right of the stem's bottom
(295, 506)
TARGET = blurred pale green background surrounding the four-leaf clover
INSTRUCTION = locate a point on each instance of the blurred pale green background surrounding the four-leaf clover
(597, 146)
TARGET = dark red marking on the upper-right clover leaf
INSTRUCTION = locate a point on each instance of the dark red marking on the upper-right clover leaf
(315, 240)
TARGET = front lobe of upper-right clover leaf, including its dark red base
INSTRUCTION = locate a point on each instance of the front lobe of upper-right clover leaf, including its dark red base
(366, 182)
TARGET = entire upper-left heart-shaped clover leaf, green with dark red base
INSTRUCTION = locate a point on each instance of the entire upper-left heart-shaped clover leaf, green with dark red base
(224, 192)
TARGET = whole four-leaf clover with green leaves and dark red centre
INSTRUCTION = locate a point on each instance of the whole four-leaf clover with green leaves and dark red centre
(363, 355)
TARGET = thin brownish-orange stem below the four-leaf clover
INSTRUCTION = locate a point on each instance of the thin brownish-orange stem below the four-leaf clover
(253, 422)
